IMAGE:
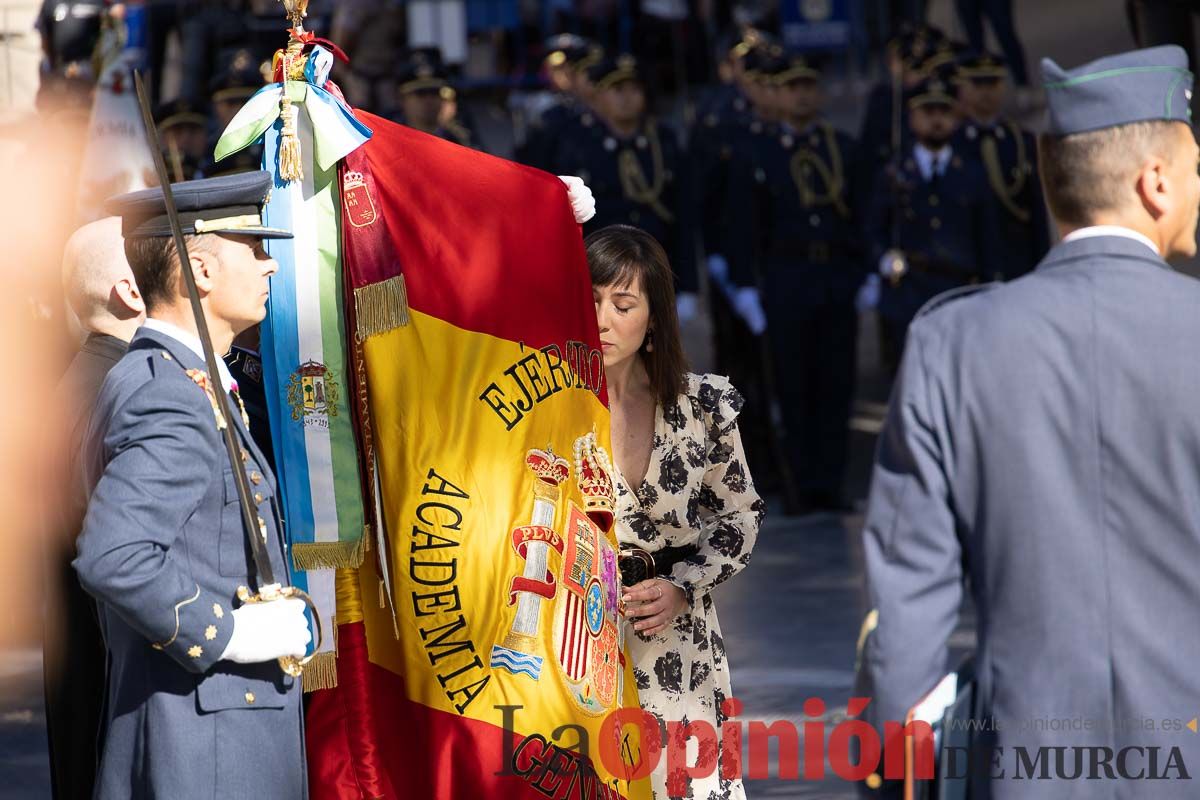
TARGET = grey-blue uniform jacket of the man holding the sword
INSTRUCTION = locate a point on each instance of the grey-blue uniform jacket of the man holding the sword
(164, 554)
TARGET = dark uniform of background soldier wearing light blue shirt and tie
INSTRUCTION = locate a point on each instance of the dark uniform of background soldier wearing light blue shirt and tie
(949, 236)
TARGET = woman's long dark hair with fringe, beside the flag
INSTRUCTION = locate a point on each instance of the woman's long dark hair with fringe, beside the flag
(617, 256)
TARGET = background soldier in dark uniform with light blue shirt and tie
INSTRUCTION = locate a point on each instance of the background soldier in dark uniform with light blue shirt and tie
(933, 222)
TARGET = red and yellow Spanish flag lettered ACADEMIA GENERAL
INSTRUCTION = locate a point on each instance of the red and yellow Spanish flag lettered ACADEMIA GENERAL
(481, 651)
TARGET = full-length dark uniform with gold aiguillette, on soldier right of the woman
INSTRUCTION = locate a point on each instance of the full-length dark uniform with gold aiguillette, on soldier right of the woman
(799, 226)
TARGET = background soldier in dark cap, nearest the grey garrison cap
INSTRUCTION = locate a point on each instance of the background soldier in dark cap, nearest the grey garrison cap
(1009, 155)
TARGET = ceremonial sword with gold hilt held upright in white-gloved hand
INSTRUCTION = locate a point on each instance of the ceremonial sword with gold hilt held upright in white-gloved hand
(256, 531)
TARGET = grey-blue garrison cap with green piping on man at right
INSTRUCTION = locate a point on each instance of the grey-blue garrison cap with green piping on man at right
(1136, 87)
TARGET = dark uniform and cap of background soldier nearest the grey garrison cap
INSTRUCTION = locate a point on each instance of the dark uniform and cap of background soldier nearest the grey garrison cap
(1010, 158)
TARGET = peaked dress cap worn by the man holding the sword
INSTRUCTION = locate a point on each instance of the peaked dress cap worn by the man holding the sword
(232, 204)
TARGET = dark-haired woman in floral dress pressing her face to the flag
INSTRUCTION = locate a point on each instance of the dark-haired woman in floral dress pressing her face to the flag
(685, 498)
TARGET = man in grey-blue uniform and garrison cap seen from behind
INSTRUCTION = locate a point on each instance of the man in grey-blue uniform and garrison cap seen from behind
(1043, 448)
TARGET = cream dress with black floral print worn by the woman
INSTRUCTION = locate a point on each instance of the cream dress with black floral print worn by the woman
(698, 492)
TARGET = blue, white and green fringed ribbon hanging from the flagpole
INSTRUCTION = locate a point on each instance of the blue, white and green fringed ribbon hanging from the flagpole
(304, 338)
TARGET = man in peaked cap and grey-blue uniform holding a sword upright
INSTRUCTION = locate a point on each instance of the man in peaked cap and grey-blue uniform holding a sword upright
(197, 703)
